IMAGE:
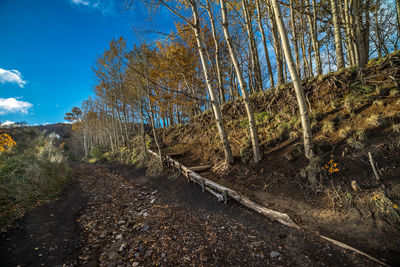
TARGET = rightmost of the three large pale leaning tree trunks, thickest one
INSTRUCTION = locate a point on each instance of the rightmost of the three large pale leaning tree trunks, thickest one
(296, 82)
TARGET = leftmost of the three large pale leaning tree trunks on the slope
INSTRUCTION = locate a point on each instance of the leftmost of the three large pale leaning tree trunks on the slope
(211, 91)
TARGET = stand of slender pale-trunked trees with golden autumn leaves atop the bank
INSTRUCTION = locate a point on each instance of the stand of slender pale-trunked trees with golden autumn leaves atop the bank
(222, 52)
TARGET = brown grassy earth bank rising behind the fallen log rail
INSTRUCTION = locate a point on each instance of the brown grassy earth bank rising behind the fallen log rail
(353, 112)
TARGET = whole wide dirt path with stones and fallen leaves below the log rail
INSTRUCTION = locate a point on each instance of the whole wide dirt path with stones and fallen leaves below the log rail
(131, 220)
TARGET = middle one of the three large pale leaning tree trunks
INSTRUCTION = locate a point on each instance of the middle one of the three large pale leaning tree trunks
(249, 110)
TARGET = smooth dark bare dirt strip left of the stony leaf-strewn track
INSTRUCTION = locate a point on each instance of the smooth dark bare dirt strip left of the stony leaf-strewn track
(47, 235)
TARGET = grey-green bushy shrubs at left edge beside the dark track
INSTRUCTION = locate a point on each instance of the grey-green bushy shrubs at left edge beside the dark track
(34, 171)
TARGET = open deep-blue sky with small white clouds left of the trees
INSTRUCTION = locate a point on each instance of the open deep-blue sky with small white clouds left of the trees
(48, 48)
